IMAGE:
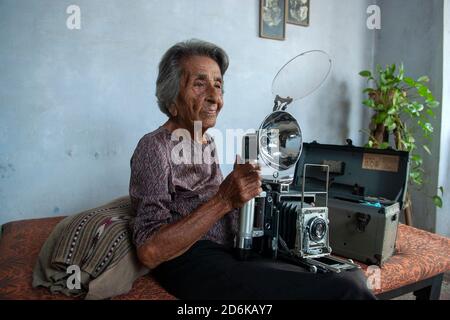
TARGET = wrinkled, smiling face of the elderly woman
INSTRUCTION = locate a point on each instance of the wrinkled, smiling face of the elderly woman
(200, 97)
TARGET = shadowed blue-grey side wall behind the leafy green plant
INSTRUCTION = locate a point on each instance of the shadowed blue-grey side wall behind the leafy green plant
(412, 33)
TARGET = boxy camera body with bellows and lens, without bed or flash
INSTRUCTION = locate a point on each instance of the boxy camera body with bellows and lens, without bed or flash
(282, 219)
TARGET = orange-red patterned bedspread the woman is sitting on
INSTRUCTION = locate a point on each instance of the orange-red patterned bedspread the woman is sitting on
(420, 255)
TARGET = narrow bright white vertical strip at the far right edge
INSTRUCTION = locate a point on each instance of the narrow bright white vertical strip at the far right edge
(443, 215)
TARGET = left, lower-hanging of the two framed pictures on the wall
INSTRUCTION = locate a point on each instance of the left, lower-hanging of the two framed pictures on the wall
(272, 19)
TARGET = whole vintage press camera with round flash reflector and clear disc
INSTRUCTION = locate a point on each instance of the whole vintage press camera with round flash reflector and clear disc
(282, 223)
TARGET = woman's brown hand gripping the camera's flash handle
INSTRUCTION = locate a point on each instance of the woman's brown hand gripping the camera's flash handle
(241, 185)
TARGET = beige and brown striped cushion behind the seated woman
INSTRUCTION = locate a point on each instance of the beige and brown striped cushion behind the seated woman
(97, 241)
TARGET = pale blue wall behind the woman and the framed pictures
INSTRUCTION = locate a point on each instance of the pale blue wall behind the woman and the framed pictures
(73, 103)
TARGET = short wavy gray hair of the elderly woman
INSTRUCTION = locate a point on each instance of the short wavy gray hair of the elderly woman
(170, 70)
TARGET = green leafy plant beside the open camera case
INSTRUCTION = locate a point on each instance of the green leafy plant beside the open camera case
(402, 110)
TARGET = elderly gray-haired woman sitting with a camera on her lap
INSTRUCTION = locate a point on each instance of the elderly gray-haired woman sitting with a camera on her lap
(187, 214)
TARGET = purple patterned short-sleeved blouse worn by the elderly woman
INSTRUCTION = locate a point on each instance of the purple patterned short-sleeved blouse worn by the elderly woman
(163, 191)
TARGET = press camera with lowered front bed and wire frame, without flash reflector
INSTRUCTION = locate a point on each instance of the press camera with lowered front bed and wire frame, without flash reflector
(287, 223)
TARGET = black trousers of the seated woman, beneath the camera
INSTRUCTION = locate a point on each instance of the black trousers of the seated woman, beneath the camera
(209, 271)
